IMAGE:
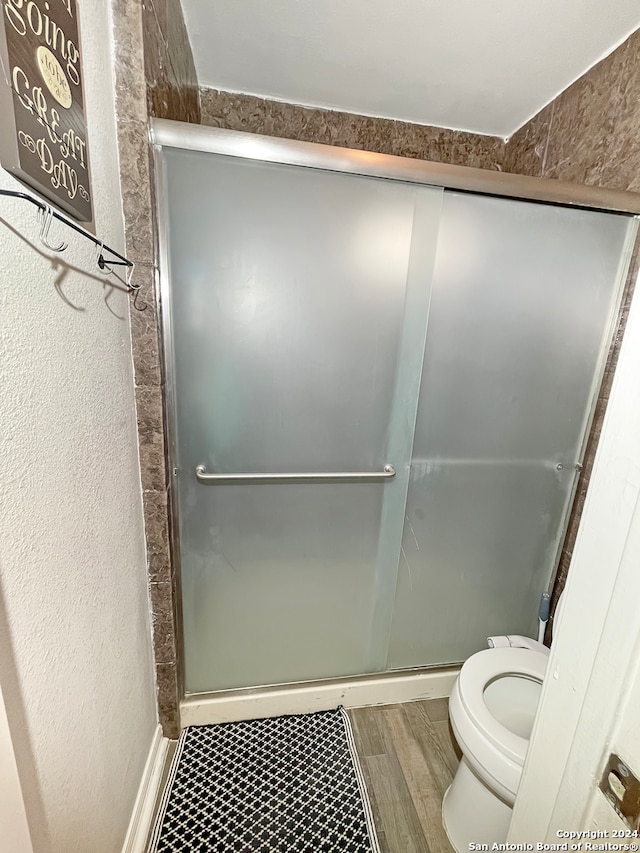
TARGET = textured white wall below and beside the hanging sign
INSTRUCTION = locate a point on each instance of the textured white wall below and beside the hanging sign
(75, 652)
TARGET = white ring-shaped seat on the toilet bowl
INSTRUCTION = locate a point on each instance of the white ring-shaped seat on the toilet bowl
(482, 668)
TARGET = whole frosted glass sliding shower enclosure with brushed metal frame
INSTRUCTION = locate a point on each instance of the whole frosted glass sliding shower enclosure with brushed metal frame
(379, 391)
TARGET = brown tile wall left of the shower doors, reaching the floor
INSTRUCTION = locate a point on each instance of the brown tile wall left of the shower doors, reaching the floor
(155, 75)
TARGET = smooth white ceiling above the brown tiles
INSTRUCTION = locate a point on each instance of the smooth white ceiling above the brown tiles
(477, 65)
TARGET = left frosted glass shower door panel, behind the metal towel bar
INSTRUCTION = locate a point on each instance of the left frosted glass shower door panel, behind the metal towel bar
(287, 300)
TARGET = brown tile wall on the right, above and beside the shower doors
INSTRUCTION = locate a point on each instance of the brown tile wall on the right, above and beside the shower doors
(590, 135)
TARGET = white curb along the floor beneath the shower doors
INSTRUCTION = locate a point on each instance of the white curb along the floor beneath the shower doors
(225, 707)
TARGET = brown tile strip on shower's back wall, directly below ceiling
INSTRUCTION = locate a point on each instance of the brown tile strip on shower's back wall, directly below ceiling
(330, 127)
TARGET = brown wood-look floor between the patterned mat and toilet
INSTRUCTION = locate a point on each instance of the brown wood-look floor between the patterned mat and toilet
(408, 757)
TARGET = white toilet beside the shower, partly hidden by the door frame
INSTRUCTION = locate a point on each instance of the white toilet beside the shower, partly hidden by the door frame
(492, 708)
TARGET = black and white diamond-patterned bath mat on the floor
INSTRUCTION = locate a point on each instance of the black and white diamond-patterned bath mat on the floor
(281, 785)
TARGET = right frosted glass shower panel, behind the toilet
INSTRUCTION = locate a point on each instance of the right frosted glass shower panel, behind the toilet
(522, 299)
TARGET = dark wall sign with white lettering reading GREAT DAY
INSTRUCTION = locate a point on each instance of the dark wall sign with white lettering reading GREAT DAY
(43, 138)
